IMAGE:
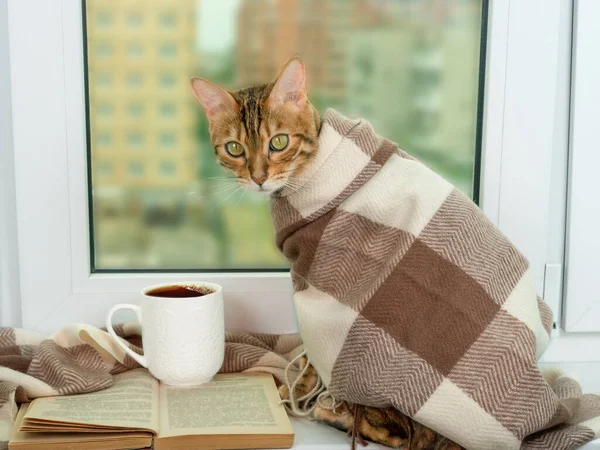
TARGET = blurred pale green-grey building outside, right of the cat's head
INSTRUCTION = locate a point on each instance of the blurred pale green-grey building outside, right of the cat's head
(417, 79)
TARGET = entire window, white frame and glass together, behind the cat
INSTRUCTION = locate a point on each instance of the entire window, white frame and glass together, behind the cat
(519, 163)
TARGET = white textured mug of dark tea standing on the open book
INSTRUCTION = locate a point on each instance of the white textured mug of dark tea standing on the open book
(183, 337)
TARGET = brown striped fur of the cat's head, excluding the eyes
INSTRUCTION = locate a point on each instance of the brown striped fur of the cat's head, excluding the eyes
(252, 117)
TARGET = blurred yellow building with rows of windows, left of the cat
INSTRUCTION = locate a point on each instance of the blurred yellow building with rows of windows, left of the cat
(140, 55)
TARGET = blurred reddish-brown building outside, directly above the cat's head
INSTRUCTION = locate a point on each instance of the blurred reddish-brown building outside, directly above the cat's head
(270, 32)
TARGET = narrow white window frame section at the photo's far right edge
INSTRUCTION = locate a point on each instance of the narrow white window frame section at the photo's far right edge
(582, 311)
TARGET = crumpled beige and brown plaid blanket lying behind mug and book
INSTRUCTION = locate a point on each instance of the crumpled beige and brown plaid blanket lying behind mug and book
(82, 358)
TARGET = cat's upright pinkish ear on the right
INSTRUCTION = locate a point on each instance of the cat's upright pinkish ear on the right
(290, 85)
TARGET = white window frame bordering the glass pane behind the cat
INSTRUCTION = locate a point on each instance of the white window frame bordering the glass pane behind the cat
(525, 118)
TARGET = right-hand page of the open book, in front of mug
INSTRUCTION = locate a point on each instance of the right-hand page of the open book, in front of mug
(230, 404)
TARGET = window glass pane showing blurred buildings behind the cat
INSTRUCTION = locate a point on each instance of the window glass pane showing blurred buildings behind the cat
(411, 67)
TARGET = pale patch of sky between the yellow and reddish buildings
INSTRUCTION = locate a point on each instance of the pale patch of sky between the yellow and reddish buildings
(216, 24)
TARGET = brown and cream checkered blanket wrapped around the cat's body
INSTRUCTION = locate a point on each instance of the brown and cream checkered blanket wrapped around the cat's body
(408, 296)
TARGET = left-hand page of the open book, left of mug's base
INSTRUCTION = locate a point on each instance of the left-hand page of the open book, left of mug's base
(132, 402)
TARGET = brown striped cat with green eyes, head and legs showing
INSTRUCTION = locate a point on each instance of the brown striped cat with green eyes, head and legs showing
(267, 136)
